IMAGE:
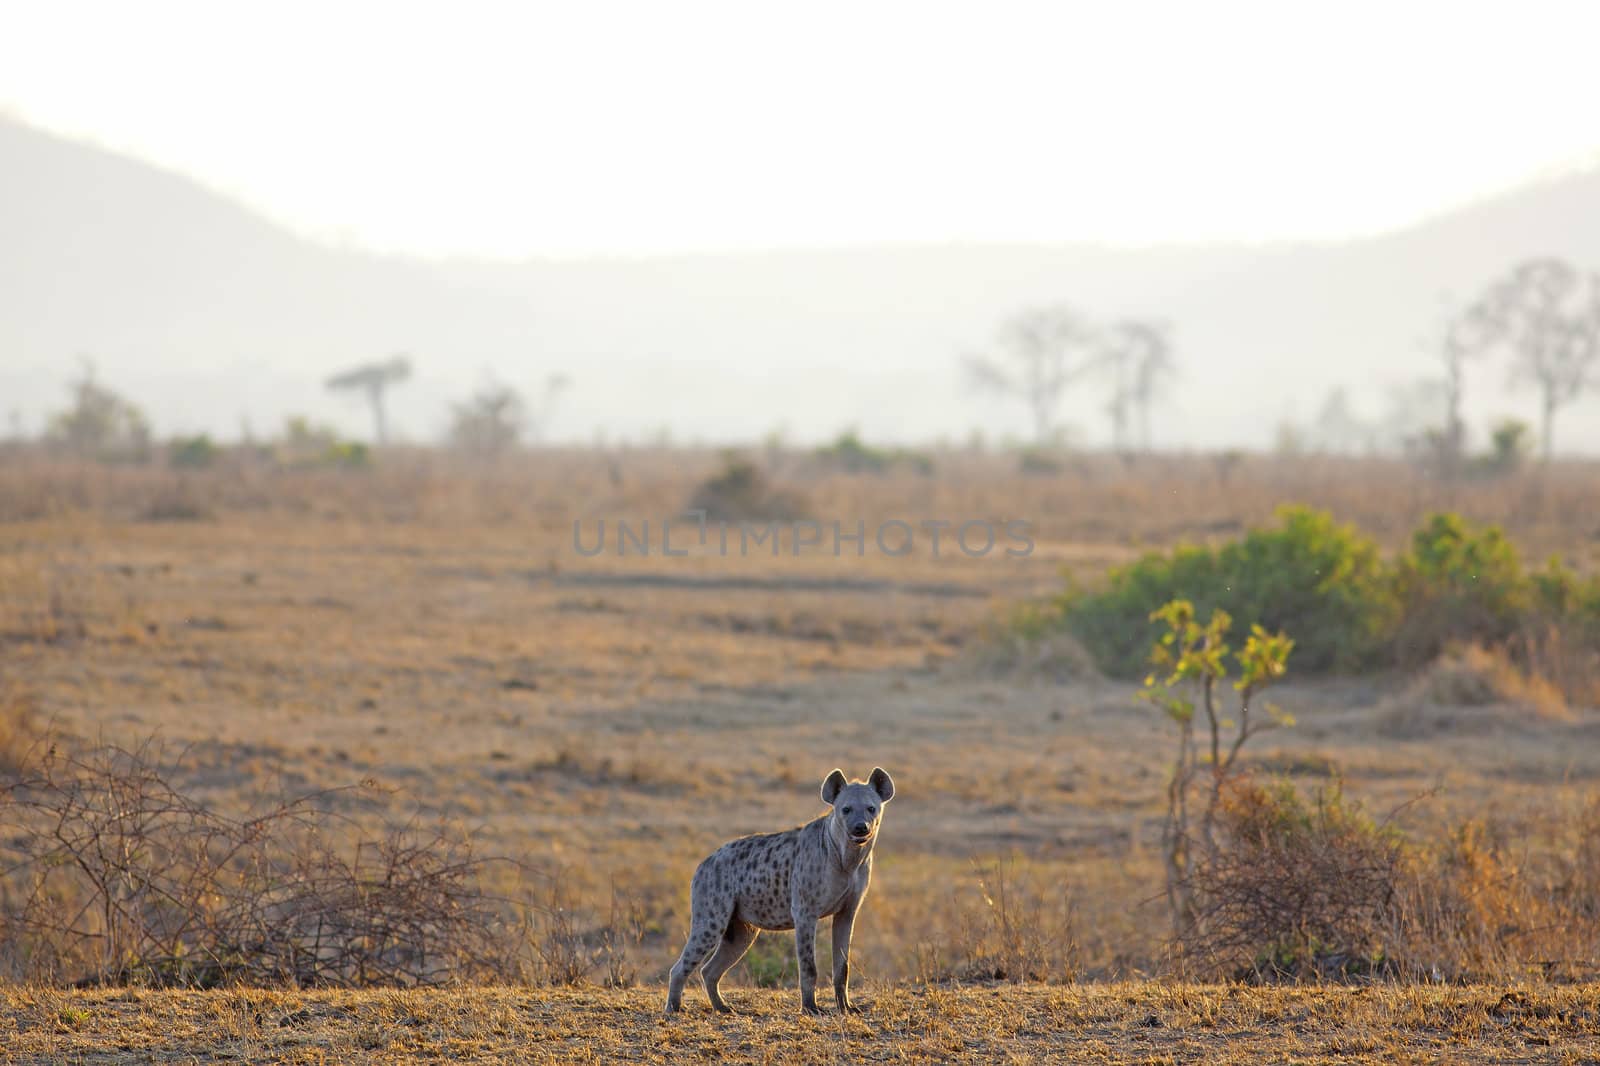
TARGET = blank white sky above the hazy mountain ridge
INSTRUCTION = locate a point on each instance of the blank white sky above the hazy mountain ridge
(623, 129)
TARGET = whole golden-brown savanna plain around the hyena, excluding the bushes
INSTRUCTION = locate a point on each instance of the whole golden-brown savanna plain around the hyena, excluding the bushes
(420, 644)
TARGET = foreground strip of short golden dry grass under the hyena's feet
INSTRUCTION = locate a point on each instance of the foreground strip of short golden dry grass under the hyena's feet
(1108, 1024)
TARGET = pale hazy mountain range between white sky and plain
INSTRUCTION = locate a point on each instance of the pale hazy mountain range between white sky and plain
(207, 315)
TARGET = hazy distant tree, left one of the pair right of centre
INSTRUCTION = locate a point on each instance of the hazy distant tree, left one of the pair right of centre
(1041, 353)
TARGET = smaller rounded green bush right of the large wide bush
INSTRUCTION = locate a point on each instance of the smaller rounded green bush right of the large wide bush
(1458, 585)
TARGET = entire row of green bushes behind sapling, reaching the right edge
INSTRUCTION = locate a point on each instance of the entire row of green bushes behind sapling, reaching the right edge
(1455, 583)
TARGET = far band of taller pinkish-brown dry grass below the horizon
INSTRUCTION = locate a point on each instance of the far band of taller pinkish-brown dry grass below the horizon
(1100, 503)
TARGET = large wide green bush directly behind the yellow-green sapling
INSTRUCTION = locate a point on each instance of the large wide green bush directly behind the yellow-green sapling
(1322, 580)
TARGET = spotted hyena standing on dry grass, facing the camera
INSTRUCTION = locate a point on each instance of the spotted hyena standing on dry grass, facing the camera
(786, 881)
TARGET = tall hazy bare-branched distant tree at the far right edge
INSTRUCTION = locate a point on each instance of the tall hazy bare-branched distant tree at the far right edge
(1548, 315)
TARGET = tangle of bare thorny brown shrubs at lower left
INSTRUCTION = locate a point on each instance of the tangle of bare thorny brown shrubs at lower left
(116, 876)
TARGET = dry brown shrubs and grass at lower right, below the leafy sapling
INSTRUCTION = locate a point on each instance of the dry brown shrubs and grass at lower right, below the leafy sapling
(1316, 889)
